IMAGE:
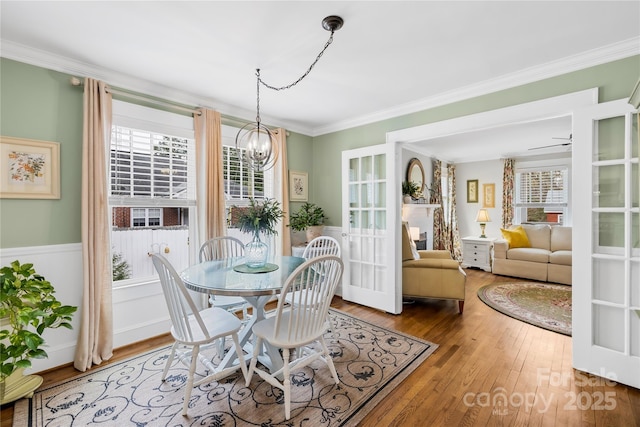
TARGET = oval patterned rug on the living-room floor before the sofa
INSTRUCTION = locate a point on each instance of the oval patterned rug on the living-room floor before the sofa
(544, 305)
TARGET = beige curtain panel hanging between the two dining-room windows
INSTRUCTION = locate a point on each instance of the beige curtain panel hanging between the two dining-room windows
(210, 181)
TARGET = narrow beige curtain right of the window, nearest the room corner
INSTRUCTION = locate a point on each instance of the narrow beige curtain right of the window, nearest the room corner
(281, 177)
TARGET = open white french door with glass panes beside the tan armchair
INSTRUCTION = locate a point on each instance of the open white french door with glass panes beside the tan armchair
(370, 207)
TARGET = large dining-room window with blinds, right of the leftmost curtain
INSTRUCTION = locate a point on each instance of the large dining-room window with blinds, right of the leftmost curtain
(152, 188)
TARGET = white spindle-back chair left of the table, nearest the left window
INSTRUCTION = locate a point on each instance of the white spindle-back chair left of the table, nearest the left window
(193, 329)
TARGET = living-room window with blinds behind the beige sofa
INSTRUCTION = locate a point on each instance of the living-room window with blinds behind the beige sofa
(542, 195)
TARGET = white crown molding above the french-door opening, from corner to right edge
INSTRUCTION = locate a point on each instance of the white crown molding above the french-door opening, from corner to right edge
(613, 52)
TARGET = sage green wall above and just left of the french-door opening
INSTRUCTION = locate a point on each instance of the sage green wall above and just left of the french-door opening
(615, 80)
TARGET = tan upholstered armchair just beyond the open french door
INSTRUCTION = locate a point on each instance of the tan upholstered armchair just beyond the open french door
(435, 275)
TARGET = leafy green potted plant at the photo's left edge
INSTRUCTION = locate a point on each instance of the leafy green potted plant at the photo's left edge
(27, 308)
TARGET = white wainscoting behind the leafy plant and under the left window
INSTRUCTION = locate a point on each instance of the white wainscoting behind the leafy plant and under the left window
(139, 312)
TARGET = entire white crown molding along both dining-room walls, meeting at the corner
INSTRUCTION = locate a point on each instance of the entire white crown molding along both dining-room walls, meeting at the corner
(613, 52)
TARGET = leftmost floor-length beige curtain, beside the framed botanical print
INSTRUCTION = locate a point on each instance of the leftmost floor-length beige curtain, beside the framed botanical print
(95, 338)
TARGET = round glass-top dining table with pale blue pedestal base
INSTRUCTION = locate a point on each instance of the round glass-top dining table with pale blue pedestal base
(232, 277)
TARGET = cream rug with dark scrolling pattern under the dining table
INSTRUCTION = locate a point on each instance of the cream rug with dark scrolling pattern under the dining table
(370, 361)
